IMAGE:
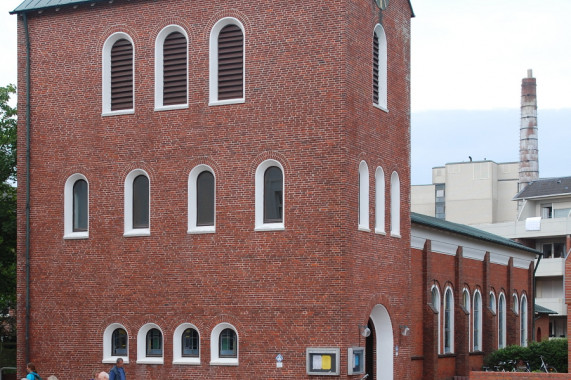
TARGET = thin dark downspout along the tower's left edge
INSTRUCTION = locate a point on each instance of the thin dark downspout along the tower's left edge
(28, 123)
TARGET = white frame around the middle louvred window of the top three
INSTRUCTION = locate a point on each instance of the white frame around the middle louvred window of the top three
(159, 65)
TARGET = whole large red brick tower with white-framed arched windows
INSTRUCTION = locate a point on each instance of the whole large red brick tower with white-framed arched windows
(244, 285)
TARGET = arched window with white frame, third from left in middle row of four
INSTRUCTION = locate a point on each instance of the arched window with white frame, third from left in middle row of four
(201, 200)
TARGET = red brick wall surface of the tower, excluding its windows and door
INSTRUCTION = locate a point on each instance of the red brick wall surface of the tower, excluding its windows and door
(307, 286)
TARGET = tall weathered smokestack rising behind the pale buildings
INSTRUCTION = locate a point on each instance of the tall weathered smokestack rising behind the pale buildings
(528, 147)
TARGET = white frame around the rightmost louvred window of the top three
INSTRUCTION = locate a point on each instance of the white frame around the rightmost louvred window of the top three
(213, 60)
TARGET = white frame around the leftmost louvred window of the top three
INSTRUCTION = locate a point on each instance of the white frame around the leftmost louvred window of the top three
(106, 75)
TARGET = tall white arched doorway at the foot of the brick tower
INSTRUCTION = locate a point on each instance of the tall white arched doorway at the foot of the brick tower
(379, 345)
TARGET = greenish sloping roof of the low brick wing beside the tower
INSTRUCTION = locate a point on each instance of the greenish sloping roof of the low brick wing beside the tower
(465, 230)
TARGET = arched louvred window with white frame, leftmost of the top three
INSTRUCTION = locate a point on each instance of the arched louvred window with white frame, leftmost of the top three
(118, 74)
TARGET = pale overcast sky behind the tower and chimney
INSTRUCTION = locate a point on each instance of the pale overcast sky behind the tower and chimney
(466, 55)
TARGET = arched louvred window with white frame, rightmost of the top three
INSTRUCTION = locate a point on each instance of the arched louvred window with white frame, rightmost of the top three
(227, 47)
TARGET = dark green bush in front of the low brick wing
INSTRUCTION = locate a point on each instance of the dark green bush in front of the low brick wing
(554, 352)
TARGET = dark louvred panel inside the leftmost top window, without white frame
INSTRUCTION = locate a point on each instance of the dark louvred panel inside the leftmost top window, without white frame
(122, 75)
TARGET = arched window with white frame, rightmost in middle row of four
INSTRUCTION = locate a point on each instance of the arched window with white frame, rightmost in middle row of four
(270, 196)
